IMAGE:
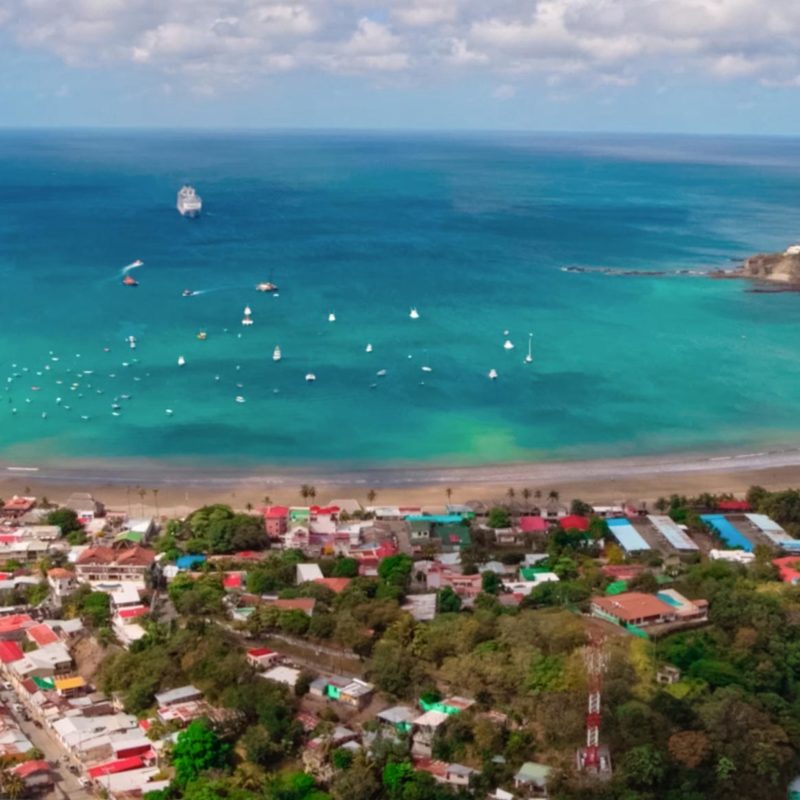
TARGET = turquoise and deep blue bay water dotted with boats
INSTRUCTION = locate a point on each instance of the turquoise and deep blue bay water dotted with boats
(473, 231)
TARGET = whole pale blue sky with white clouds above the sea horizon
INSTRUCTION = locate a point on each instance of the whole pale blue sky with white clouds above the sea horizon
(693, 66)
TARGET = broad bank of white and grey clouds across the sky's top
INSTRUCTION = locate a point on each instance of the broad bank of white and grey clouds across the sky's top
(597, 41)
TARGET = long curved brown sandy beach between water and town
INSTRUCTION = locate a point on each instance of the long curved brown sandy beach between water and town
(149, 488)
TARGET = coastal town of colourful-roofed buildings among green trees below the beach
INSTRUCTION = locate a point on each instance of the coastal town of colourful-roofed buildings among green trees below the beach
(532, 647)
